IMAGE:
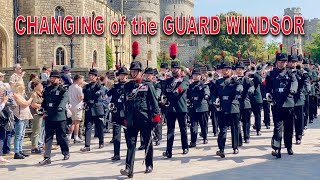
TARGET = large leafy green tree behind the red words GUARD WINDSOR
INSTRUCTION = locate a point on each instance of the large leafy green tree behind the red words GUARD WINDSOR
(231, 45)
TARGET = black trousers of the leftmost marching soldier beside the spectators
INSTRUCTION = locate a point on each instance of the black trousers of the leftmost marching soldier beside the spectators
(60, 128)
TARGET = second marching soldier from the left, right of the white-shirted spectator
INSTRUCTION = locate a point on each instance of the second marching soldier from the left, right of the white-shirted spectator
(94, 94)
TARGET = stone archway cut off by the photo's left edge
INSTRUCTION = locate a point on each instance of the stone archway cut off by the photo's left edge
(3, 49)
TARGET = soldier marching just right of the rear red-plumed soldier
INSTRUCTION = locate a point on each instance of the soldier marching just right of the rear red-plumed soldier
(198, 95)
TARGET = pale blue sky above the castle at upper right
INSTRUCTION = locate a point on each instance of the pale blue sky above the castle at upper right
(310, 8)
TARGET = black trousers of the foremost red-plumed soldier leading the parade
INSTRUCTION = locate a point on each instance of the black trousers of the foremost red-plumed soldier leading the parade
(132, 134)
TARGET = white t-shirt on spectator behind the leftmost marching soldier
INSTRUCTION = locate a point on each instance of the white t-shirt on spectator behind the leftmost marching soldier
(75, 91)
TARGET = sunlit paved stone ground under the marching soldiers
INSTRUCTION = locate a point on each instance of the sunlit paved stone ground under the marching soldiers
(253, 162)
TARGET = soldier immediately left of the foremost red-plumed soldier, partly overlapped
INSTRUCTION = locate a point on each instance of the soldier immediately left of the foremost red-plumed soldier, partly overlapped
(117, 93)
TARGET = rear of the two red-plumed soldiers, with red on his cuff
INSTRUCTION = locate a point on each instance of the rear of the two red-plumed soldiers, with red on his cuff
(176, 92)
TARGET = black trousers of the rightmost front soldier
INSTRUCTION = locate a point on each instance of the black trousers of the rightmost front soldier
(283, 121)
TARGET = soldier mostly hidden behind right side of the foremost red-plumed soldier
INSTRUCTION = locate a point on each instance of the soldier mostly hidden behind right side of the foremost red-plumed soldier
(149, 77)
